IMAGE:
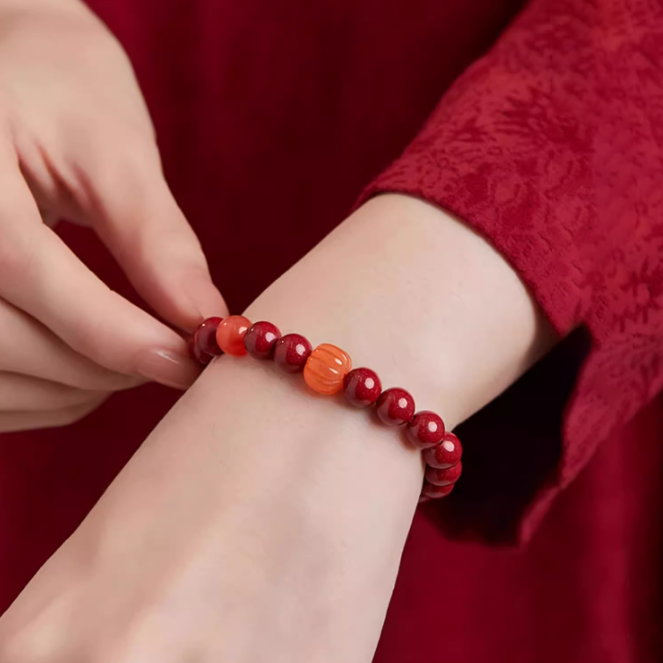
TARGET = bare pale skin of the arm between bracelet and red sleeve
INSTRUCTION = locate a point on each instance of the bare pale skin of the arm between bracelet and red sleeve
(416, 295)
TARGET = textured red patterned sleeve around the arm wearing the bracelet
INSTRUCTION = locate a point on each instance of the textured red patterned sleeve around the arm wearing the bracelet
(551, 147)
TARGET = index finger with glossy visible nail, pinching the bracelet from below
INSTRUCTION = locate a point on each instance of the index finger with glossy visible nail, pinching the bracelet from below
(41, 276)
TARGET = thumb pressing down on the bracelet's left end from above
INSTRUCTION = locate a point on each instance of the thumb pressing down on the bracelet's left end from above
(138, 219)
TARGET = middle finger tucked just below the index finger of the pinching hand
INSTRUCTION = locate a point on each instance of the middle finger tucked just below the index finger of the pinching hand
(27, 347)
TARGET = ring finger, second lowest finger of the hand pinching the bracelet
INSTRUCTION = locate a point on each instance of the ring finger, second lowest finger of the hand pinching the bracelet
(22, 393)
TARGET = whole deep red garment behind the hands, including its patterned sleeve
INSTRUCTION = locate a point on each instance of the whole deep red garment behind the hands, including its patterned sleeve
(547, 139)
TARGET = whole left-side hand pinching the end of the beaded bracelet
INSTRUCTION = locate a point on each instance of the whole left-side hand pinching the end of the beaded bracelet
(76, 141)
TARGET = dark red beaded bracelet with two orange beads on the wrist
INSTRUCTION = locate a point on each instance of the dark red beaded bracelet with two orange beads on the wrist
(328, 370)
